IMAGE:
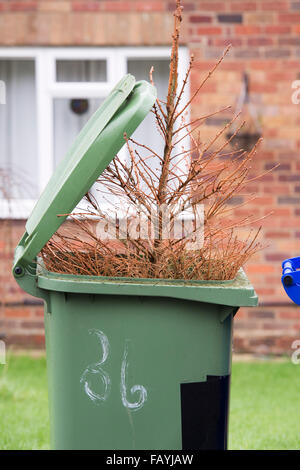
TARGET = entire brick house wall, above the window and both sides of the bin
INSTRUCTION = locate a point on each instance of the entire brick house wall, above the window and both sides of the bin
(266, 40)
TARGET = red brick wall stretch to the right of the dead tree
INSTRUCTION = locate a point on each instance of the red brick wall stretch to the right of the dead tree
(266, 44)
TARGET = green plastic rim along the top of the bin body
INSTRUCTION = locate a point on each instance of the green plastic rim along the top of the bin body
(237, 292)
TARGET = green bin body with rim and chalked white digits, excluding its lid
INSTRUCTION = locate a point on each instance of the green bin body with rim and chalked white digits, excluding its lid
(140, 364)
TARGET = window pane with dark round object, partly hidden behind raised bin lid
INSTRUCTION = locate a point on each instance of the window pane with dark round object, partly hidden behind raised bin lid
(70, 115)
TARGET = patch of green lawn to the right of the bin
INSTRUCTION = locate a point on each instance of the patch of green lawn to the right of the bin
(264, 406)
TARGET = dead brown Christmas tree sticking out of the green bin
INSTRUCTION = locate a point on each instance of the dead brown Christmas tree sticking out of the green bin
(179, 178)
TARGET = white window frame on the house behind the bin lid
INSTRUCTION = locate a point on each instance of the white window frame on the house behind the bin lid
(47, 89)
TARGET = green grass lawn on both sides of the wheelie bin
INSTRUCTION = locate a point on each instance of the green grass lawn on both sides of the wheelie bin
(264, 413)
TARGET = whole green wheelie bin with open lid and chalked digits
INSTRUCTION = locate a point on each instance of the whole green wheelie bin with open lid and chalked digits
(132, 363)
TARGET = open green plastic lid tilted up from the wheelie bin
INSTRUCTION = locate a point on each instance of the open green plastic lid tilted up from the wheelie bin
(94, 148)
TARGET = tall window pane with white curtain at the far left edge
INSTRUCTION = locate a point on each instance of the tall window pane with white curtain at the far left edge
(18, 135)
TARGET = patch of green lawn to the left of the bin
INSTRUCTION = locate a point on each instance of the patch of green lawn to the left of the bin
(24, 416)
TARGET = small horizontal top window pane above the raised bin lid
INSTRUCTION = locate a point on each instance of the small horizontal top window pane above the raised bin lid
(81, 70)
